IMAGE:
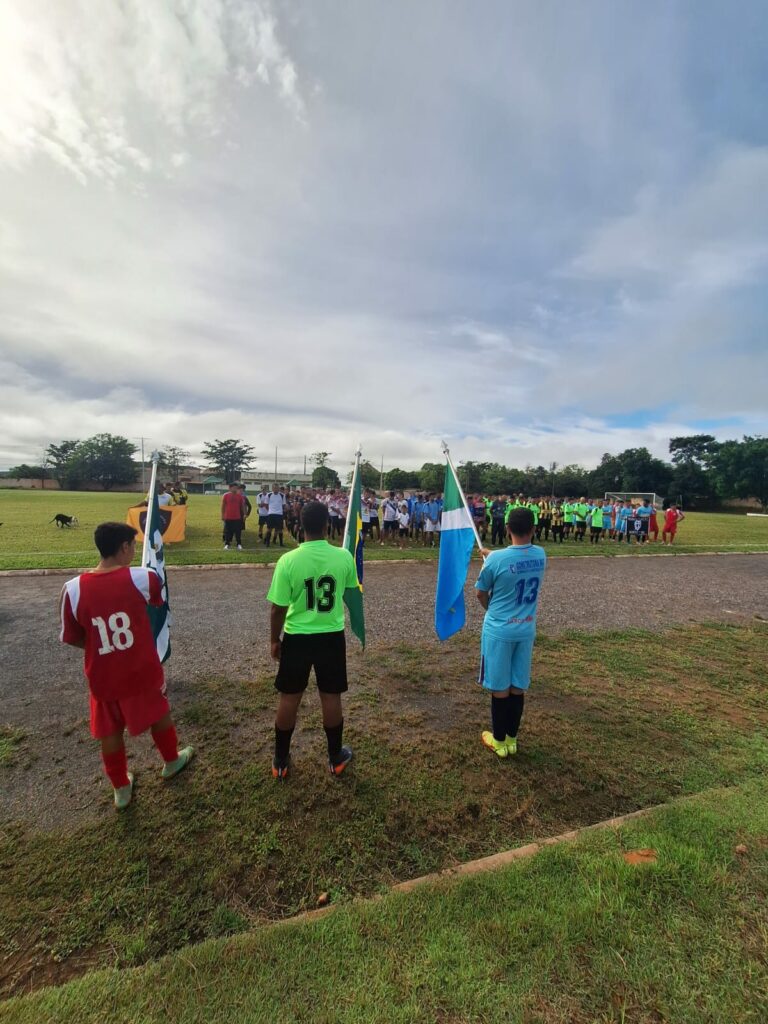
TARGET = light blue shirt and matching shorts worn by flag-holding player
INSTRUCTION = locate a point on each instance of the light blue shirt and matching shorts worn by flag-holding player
(513, 578)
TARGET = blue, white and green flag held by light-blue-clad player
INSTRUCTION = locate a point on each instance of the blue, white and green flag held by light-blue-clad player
(458, 537)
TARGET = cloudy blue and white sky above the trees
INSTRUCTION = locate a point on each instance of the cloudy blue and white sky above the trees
(538, 230)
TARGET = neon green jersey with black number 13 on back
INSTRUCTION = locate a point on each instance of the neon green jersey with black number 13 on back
(311, 583)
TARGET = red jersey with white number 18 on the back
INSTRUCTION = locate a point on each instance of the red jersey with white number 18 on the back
(109, 612)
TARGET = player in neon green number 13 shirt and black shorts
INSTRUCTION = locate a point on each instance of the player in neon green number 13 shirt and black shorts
(307, 594)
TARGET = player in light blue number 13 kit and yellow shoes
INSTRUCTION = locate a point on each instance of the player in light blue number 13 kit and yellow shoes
(508, 590)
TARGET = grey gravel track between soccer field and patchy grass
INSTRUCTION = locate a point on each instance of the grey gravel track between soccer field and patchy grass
(221, 630)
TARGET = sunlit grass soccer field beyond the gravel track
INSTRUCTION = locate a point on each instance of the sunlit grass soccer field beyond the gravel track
(29, 540)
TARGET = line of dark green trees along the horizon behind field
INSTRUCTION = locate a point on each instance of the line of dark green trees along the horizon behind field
(702, 471)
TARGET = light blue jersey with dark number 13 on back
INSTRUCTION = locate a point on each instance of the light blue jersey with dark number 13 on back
(513, 578)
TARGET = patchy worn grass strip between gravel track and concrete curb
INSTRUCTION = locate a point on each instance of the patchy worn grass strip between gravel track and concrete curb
(615, 722)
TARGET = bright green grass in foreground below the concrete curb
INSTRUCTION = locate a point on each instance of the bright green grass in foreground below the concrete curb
(572, 936)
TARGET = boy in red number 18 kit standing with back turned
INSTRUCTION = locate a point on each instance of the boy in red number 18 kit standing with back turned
(105, 613)
